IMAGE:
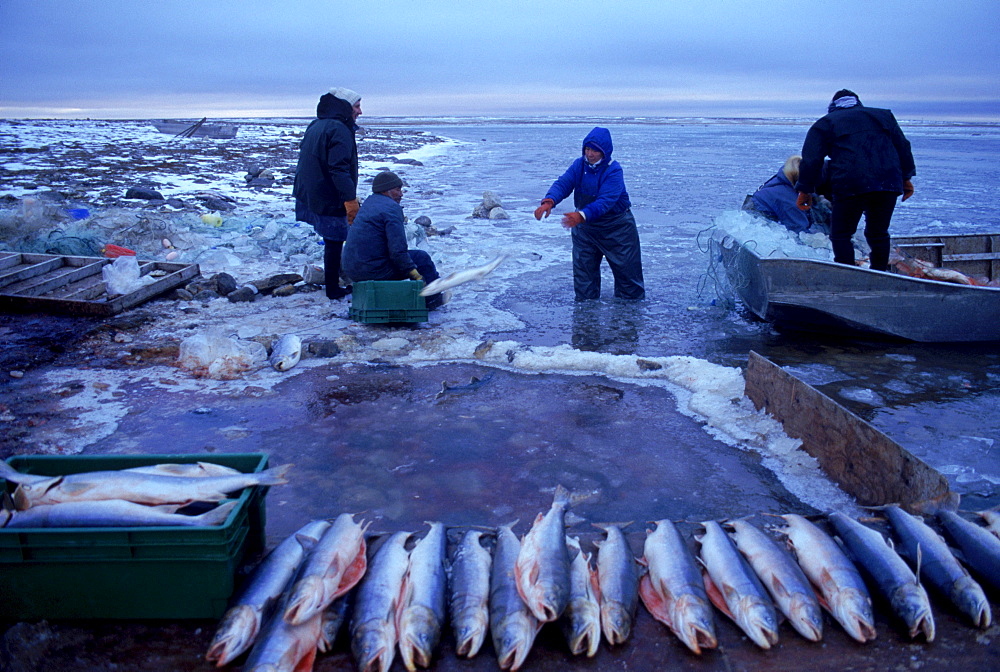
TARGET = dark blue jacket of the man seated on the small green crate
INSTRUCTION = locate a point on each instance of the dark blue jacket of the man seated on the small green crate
(376, 243)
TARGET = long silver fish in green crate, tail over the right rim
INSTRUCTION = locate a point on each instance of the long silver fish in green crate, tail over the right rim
(140, 488)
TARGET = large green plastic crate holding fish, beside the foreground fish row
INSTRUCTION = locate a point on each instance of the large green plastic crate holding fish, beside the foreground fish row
(138, 571)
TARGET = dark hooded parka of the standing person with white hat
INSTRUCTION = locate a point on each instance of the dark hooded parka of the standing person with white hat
(327, 172)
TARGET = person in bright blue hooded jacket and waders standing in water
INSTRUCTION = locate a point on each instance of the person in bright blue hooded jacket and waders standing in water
(602, 223)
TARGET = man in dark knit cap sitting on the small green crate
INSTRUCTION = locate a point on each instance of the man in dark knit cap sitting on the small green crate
(376, 243)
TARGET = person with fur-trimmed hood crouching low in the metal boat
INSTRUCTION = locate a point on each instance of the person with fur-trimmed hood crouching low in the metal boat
(775, 200)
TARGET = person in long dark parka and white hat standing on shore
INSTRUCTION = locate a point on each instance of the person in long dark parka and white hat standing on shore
(326, 178)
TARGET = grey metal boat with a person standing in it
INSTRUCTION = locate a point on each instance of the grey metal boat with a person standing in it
(798, 294)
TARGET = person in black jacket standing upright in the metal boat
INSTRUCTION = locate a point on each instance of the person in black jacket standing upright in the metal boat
(870, 166)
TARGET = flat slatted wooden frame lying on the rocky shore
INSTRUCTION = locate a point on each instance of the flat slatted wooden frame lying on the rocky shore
(67, 285)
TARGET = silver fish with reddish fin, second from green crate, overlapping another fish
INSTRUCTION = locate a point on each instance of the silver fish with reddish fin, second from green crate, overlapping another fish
(335, 565)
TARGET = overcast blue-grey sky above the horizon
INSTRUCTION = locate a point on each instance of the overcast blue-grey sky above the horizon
(219, 58)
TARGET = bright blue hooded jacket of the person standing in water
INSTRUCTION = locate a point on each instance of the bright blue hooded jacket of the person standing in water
(598, 191)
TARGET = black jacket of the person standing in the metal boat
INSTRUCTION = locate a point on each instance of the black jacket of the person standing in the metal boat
(867, 149)
